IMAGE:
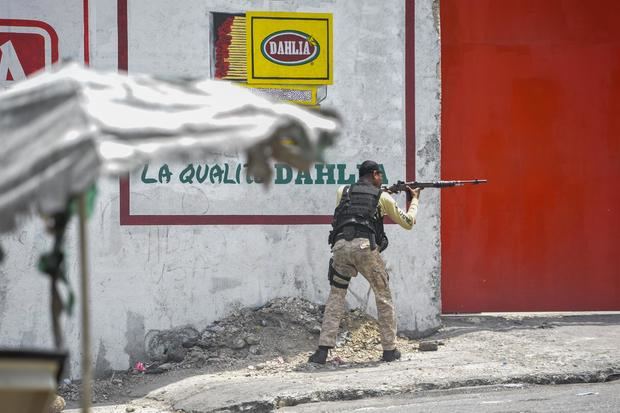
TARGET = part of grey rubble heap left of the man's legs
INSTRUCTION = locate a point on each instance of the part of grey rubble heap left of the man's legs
(282, 327)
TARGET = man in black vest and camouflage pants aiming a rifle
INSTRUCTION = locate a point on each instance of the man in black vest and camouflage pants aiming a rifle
(357, 238)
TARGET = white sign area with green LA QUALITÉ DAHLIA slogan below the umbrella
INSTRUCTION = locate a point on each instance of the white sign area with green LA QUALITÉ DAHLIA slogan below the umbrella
(197, 190)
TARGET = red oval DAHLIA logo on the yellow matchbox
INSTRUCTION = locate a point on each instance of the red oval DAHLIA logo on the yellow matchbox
(290, 48)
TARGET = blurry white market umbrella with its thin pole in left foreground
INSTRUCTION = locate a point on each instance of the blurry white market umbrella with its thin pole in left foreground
(59, 131)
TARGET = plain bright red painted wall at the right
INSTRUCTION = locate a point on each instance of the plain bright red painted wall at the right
(531, 101)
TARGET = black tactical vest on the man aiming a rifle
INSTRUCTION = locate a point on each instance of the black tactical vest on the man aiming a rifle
(357, 216)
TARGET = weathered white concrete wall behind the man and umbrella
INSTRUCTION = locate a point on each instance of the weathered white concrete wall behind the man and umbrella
(158, 277)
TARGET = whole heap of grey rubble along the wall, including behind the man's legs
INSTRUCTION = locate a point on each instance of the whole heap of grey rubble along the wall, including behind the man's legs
(271, 339)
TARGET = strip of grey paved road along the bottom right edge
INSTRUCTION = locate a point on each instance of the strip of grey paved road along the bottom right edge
(598, 397)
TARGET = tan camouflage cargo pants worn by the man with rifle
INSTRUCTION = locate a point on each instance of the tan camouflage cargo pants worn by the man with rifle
(351, 257)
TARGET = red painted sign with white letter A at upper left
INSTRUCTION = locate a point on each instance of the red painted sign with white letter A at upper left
(26, 46)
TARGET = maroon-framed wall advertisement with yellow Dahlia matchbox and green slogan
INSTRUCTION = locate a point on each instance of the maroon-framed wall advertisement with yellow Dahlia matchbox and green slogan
(287, 56)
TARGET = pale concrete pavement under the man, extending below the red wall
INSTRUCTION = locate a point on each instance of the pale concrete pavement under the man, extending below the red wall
(474, 350)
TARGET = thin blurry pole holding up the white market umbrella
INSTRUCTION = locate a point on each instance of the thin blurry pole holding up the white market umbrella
(86, 365)
